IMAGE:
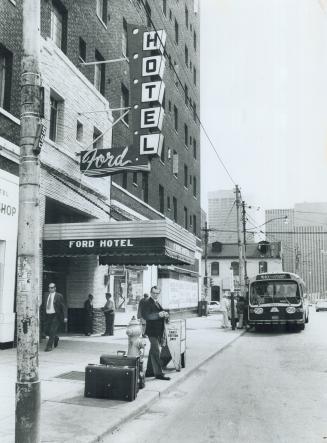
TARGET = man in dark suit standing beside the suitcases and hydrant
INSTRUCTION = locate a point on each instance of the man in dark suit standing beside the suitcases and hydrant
(155, 318)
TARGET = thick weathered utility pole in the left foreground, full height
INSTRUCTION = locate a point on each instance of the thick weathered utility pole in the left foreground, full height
(27, 426)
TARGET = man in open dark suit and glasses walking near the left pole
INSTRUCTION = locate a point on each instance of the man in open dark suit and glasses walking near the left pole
(53, 311)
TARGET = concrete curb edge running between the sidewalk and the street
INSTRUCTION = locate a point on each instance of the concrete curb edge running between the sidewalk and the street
(156, 394)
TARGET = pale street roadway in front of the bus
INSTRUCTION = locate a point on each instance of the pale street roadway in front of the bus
(267, 387)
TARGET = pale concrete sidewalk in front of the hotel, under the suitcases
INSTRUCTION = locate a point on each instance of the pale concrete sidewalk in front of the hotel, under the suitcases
(66, 416)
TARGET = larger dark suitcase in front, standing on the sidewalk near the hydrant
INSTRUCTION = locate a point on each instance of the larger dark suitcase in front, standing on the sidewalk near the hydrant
(115, 383)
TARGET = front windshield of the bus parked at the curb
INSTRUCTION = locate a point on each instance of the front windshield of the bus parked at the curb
(274, 292)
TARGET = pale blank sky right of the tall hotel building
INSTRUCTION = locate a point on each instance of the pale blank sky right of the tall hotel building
(264, 99)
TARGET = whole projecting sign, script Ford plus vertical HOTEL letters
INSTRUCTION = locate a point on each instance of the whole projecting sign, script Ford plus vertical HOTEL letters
(147, 64)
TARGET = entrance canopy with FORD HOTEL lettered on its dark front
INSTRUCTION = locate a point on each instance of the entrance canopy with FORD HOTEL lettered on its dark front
(149, 242)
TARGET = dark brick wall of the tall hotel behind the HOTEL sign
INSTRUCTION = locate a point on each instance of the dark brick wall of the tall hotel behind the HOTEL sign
(83, 22)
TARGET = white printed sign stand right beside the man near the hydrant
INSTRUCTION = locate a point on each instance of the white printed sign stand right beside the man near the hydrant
(176, 342)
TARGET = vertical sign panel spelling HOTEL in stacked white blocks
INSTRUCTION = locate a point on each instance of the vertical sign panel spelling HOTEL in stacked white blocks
(147, 65)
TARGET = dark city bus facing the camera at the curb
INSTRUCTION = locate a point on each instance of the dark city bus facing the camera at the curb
(277, 299)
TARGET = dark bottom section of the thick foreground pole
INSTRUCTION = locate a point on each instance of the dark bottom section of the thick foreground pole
(28, 402)
